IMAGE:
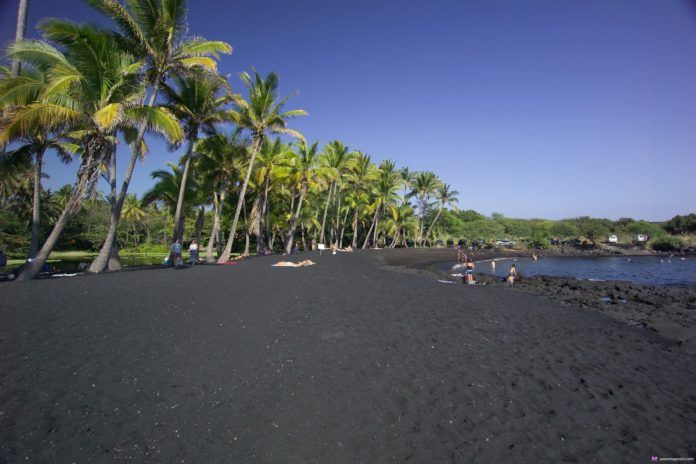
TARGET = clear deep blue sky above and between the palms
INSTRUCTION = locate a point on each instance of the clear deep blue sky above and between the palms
(541, 108)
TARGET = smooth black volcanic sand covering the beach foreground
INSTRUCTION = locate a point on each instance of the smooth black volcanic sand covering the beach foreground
(339, 362)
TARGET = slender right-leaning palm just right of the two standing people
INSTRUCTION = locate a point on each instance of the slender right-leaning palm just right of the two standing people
(260, 113)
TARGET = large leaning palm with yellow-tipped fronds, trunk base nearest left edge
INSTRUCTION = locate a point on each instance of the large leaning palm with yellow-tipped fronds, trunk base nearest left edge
(93, 90)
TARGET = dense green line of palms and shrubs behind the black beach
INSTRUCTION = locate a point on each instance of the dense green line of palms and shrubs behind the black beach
(247, 182)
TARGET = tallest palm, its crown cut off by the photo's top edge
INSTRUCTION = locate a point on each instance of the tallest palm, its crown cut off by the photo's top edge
(153, 30)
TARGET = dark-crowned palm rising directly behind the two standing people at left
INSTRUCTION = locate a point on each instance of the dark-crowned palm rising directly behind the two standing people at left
(197, 102)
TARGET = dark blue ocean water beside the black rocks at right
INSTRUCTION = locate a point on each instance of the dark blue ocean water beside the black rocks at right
(640, 269)
